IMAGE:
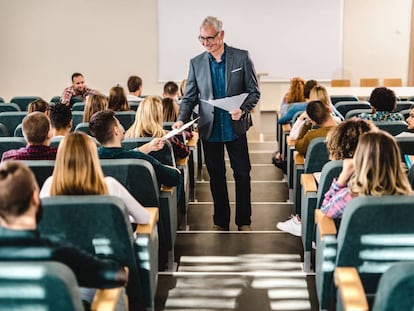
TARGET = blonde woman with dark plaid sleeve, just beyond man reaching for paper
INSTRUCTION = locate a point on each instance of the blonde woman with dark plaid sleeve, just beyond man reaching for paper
(148, 123)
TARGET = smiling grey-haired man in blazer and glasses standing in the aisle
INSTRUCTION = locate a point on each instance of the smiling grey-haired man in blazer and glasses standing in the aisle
(222, 71)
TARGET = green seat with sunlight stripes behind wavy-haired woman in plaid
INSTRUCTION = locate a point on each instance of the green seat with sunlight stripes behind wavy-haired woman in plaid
(374, 233)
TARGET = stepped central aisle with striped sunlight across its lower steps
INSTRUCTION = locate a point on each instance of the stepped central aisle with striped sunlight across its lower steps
(258, 270)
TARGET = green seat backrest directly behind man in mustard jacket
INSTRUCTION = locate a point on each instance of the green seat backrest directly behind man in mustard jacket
(316, 155)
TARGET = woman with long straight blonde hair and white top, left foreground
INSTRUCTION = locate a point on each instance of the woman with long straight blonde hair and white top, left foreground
(78, 172)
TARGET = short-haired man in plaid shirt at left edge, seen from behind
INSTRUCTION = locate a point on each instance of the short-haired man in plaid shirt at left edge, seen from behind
(37, 132)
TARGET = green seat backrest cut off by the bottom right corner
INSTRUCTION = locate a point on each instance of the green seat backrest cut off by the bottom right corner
(396, 288)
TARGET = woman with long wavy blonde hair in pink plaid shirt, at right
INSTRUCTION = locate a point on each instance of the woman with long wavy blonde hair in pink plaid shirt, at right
(375, 169)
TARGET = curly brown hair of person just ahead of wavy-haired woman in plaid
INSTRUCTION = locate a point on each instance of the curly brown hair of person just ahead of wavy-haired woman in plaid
(343, 139)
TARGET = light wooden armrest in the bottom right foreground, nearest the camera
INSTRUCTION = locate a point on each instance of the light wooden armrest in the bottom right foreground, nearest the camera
(350, 288)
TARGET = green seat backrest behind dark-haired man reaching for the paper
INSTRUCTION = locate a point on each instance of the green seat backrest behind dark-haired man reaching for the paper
(137, 175)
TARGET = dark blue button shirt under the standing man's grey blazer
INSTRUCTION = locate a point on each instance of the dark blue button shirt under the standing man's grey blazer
(222, 125)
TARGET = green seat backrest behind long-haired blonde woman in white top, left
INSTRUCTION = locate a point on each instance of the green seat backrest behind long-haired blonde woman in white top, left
(102, 227)
